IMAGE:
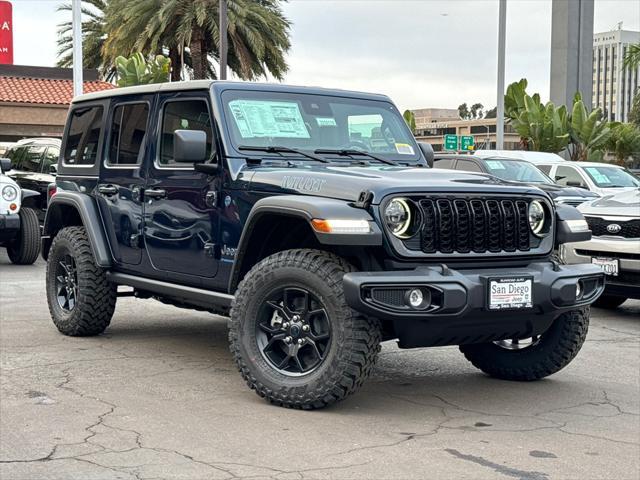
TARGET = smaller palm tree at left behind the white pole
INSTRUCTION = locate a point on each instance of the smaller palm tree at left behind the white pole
(93, 35)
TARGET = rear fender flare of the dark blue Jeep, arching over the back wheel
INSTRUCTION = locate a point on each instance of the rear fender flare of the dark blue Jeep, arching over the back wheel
(91, 221)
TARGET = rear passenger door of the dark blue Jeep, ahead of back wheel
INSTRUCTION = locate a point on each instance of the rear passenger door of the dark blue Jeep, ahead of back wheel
(119, 192)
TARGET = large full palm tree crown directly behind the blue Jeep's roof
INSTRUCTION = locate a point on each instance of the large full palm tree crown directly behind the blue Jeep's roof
(258, 34)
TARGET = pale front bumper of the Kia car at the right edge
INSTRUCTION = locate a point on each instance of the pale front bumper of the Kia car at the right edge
(626, 250)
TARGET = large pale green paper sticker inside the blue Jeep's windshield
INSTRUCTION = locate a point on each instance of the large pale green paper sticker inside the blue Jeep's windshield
(263, 118)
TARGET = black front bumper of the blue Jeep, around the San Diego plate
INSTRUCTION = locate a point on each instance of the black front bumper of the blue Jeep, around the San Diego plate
(459, 313)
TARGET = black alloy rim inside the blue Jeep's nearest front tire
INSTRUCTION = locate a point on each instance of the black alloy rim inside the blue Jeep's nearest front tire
(293, 331)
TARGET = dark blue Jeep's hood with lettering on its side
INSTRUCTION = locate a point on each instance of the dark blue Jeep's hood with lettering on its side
(346, 182)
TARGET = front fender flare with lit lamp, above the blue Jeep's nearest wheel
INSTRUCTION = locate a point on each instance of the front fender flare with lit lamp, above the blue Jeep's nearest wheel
(306, 208)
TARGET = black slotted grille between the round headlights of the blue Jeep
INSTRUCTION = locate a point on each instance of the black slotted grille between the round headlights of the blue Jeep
(472, 225)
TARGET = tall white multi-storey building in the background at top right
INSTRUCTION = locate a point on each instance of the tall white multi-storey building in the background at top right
(613, 85)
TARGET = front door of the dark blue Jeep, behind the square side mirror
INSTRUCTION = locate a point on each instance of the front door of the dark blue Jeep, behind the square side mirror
(180, 213)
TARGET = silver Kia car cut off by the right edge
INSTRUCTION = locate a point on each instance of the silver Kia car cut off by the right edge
(615, 245)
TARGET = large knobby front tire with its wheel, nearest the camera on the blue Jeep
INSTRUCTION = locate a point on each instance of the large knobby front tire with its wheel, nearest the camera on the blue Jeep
(295, 340)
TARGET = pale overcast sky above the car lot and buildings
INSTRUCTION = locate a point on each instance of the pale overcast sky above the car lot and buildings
(423, 53)
